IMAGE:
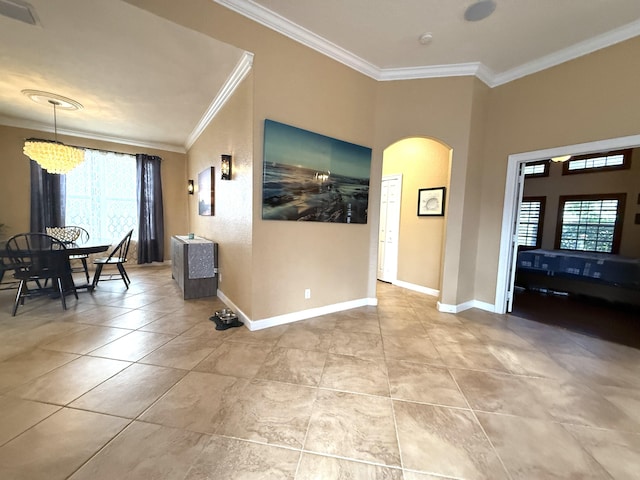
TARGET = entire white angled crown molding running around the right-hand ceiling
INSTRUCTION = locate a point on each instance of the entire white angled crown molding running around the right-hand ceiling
(276, 22)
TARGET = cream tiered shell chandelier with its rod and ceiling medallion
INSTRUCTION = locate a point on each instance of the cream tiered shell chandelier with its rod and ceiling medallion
(52, 155)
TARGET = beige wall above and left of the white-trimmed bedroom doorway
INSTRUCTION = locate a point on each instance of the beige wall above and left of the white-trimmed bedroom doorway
(591, 98)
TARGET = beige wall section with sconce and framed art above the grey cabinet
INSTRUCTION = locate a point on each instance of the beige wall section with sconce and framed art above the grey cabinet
(230, 132)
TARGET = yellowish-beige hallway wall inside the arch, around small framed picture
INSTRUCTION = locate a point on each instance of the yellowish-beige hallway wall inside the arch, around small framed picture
(423, 163)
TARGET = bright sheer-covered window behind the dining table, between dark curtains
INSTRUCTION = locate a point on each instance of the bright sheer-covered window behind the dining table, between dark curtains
(101, 195)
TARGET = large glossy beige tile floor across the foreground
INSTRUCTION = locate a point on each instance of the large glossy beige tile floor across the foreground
(138, 384)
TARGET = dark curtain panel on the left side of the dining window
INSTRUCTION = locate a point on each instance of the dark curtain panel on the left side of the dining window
(48, 199)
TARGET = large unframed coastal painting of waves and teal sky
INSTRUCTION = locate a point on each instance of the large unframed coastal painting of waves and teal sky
(313, 178)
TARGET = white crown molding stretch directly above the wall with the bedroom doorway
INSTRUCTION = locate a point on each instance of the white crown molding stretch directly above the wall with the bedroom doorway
(580, 49)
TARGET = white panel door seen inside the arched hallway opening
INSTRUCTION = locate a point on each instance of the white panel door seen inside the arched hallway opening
(390, 199)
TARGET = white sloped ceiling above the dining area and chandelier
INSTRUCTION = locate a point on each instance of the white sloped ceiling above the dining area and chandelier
(141, 79)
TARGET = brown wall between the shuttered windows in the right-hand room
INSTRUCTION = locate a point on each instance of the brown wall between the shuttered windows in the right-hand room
(616, 181)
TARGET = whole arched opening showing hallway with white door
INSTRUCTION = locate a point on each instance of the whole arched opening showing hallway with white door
(410, 246)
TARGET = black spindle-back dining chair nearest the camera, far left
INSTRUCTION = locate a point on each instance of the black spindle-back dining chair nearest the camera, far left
(37, 258)
